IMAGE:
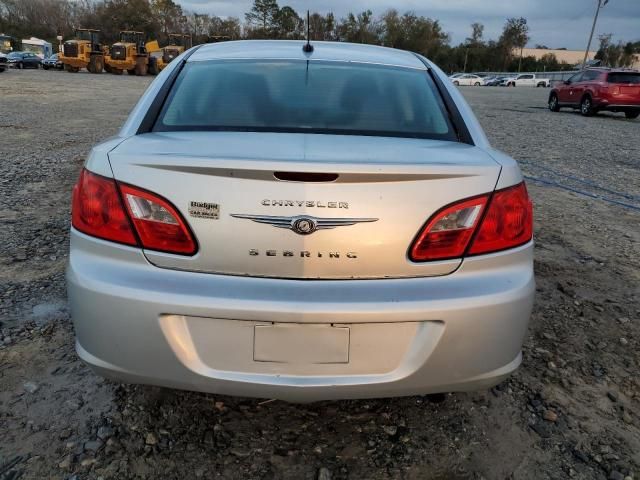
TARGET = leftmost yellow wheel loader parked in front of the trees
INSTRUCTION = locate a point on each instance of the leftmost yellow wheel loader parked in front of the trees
(84, 51)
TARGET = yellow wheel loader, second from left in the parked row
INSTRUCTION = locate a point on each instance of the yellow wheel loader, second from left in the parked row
(131, 53)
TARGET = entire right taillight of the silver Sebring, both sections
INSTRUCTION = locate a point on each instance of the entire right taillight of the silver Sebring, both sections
(480, 225)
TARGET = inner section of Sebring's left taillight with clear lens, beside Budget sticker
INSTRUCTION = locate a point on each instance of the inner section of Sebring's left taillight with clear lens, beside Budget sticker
(157, 222)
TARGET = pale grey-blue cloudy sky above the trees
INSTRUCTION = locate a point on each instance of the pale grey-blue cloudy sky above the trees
(554, 23)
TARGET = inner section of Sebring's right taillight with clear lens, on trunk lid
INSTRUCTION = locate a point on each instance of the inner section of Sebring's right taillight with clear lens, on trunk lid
(447, 233)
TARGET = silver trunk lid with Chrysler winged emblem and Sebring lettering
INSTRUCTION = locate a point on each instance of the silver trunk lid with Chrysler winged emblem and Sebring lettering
(303, 205)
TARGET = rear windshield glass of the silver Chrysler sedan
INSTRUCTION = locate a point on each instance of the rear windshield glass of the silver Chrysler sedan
(309, 97)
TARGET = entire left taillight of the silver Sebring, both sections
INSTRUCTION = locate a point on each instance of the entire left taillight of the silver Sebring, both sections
(145, 219)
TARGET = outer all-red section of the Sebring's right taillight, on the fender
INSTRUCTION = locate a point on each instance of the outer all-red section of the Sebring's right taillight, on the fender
(508, 222)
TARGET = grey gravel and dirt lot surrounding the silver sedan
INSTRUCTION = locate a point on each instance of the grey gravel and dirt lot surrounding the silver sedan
(571, 411)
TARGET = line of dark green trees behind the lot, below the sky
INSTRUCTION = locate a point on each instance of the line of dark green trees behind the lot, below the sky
(267, 20)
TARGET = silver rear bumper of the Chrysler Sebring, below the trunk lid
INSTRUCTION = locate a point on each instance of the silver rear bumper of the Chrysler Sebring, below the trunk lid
(138, 323)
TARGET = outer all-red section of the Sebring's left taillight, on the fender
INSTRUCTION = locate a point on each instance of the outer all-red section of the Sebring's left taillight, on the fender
(97, 209)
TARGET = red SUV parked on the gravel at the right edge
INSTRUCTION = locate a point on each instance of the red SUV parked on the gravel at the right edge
(596, 89)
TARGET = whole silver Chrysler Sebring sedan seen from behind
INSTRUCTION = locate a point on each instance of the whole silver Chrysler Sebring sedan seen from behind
(303, 224)
